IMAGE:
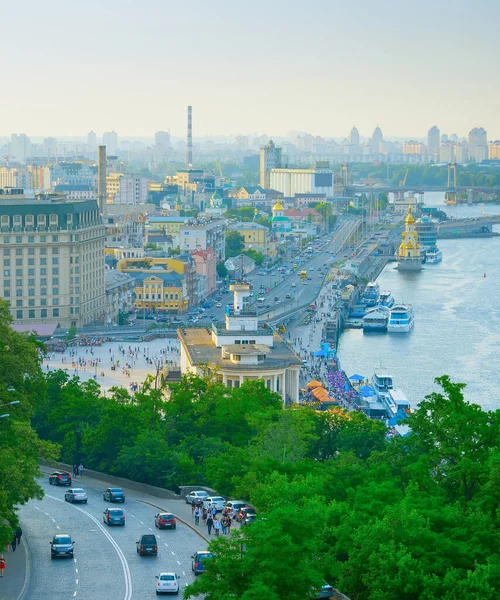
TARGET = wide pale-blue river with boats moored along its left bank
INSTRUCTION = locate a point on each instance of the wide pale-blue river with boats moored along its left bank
(457, 320)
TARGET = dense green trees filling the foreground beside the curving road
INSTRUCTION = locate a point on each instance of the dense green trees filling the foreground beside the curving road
(414, 518)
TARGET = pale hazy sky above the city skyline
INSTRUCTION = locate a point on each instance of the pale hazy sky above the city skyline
(255, 66)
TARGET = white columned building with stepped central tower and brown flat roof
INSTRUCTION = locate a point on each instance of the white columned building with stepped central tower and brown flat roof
(241, 349)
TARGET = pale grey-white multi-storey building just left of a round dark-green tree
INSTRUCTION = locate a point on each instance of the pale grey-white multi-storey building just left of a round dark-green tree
(201, 234)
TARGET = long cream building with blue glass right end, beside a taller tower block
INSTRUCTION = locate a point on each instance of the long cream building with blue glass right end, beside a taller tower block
(303, 181)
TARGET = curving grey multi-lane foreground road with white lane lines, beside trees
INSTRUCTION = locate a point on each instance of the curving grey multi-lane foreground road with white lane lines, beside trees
(105, 559)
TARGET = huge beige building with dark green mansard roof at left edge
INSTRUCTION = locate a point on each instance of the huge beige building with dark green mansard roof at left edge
(52, 259)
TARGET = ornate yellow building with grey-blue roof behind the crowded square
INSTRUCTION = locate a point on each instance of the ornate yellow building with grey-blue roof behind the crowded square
(162, 285)
